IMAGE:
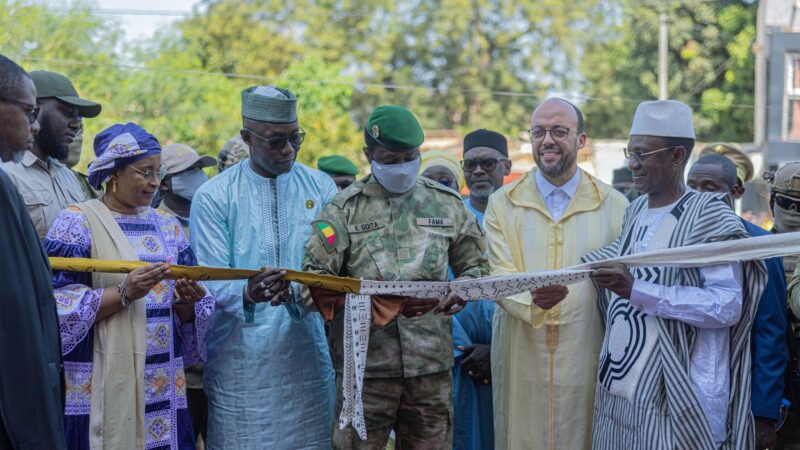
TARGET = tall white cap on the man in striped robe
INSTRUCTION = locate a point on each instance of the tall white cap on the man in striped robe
(663, 118)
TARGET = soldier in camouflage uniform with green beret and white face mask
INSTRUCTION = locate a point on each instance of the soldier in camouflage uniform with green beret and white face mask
(393, 225)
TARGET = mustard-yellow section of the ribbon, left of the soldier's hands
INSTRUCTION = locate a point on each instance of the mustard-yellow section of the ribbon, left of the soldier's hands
(201, 273)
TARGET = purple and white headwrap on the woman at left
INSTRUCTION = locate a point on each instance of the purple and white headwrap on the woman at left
(119, 146)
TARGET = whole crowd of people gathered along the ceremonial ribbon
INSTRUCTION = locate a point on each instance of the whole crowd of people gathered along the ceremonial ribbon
(644, 358)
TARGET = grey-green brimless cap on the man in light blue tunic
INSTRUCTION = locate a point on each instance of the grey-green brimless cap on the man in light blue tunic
(269, 104)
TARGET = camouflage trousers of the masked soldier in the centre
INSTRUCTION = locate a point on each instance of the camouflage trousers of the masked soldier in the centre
(418, 409)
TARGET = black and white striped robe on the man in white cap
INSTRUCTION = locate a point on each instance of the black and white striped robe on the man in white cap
(661, 410)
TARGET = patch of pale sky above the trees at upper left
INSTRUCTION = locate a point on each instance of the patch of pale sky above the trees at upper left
(142, 26)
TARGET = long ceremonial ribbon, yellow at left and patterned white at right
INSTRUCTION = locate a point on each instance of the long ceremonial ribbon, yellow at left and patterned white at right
(357, 303)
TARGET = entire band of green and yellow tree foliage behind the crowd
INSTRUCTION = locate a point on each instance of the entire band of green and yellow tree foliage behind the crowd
(461, 64)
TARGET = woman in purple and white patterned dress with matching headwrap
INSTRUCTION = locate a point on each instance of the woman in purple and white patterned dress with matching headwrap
(175, 316)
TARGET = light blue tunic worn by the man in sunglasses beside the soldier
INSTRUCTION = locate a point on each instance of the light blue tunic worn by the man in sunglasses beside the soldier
(270, 383)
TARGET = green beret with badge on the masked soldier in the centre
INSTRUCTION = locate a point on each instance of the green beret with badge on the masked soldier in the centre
(394, 128)
